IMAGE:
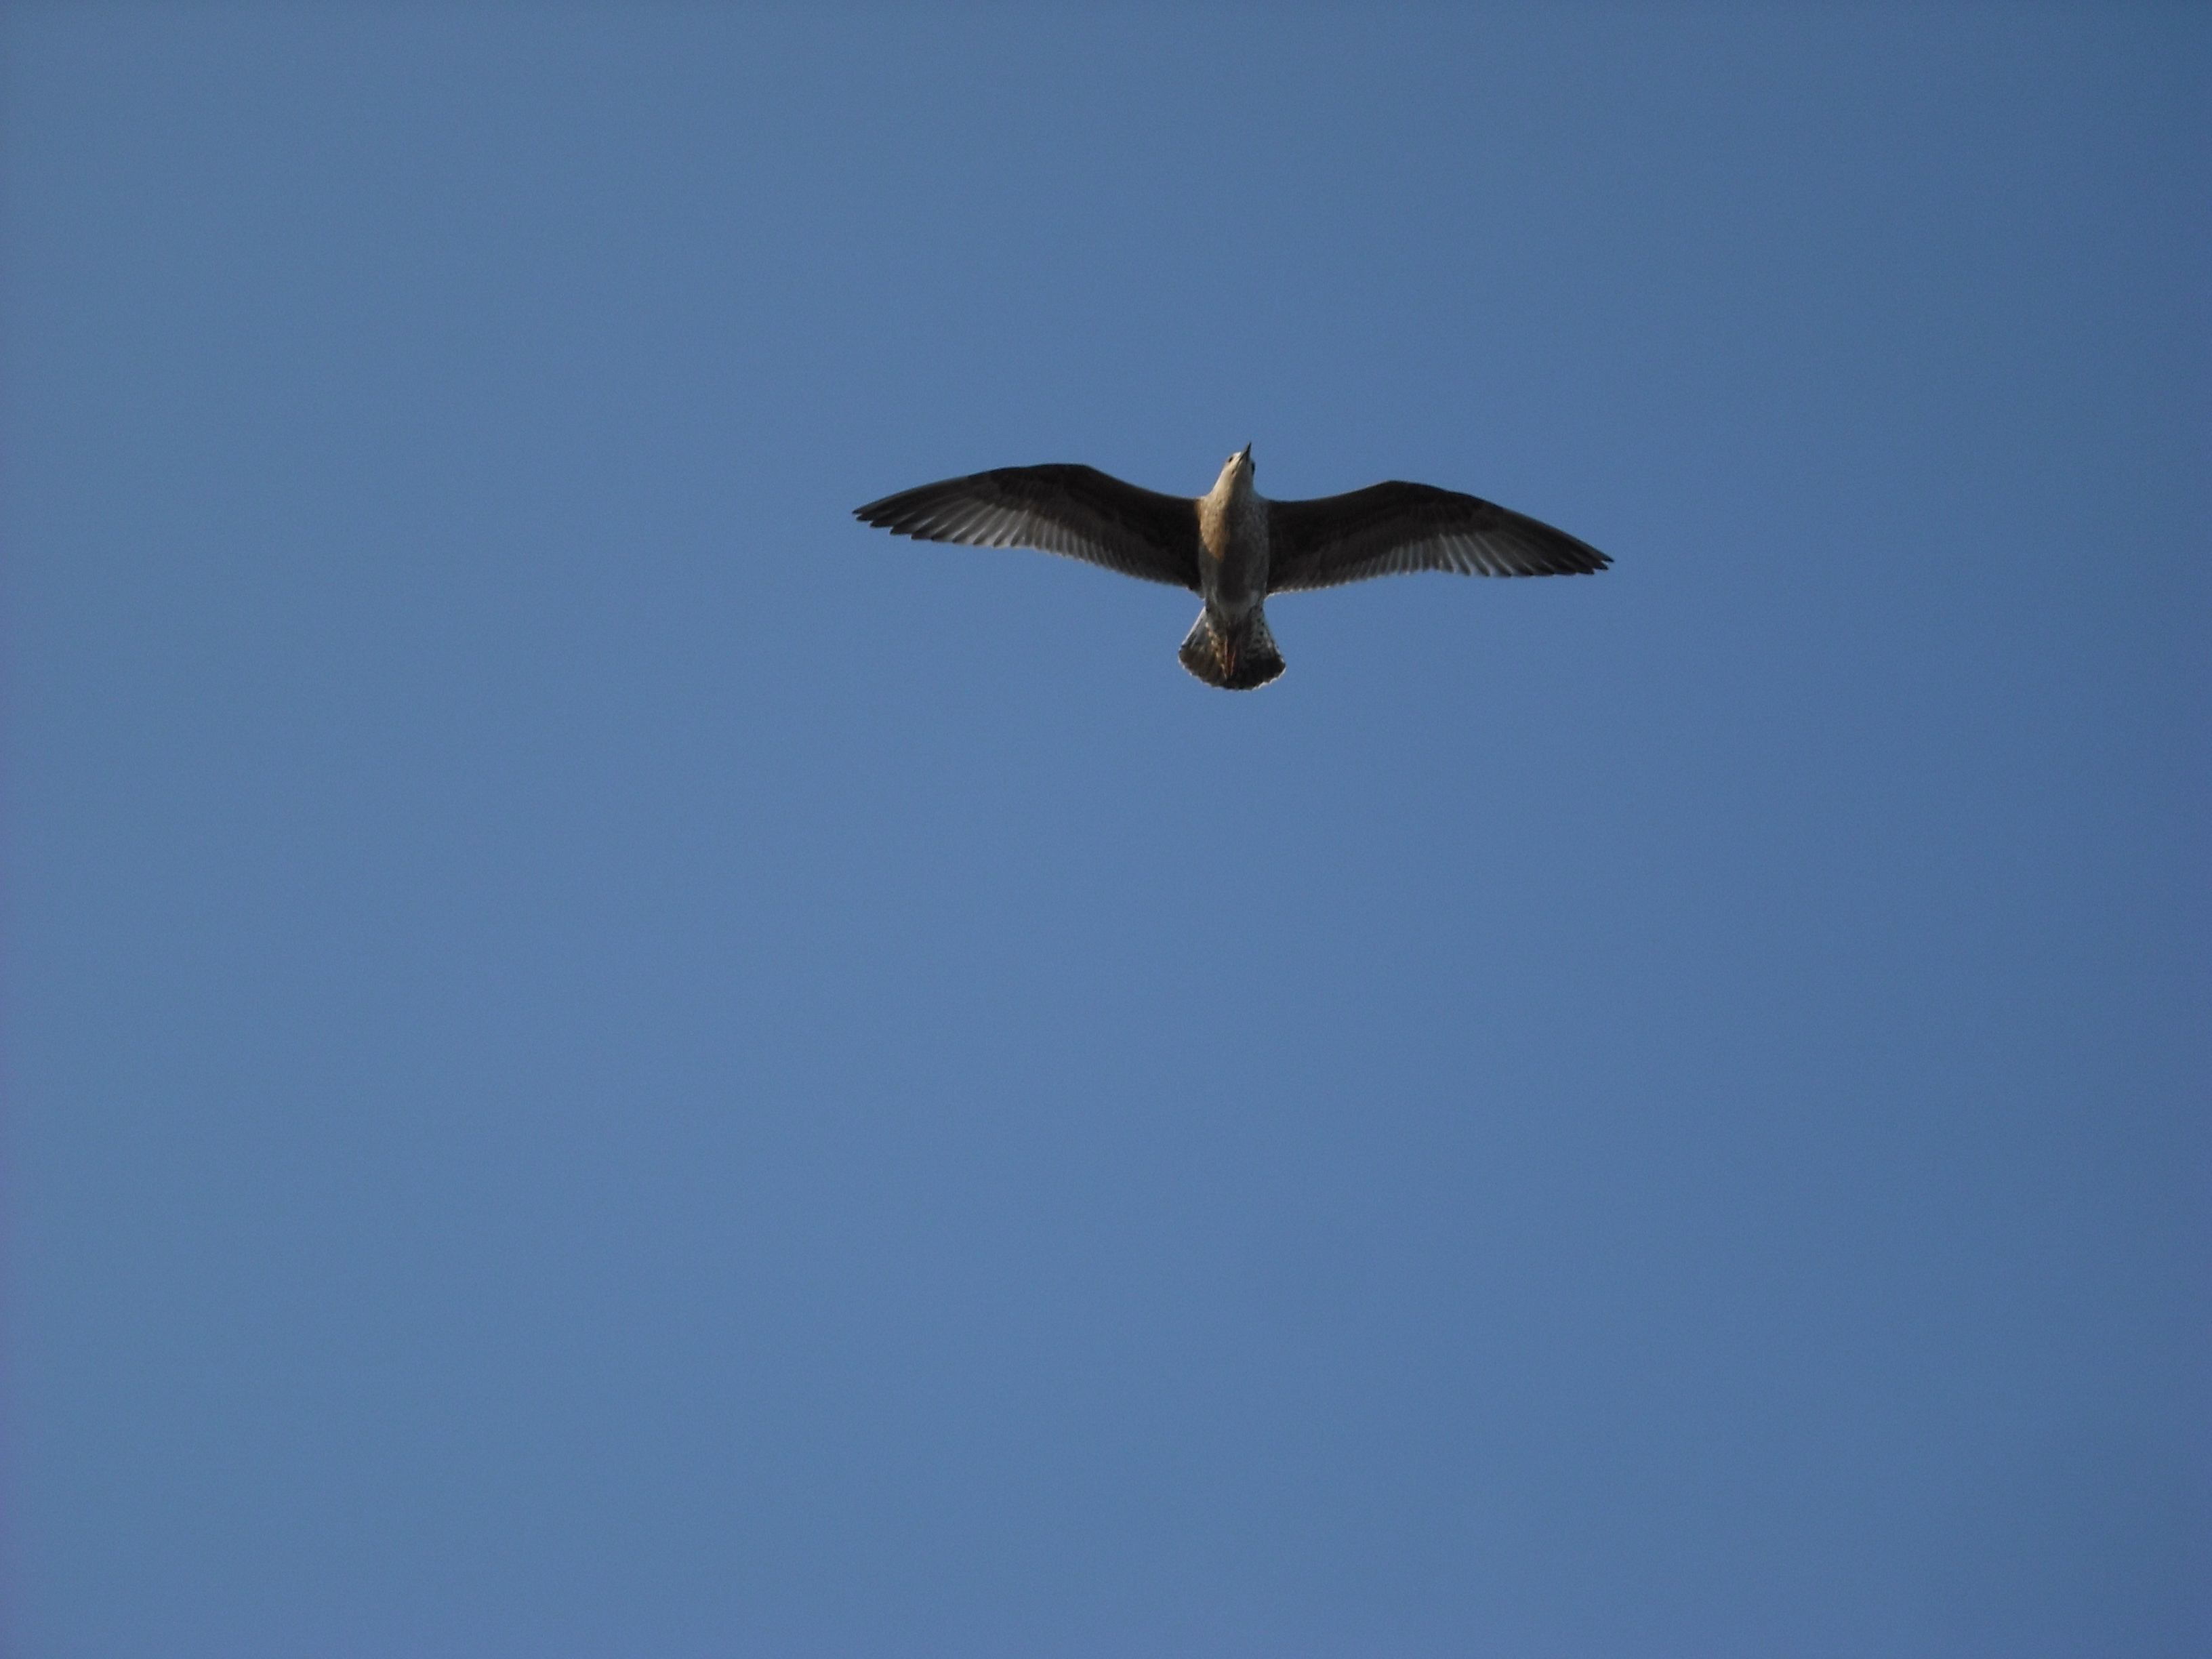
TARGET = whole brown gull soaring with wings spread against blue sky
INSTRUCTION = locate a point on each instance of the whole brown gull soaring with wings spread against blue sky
(1233, 545)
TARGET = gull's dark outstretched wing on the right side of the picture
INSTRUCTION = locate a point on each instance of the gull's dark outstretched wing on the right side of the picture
(1412, 528)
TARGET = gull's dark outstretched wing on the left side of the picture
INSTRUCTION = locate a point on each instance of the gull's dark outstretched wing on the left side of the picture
(1061, 510)
